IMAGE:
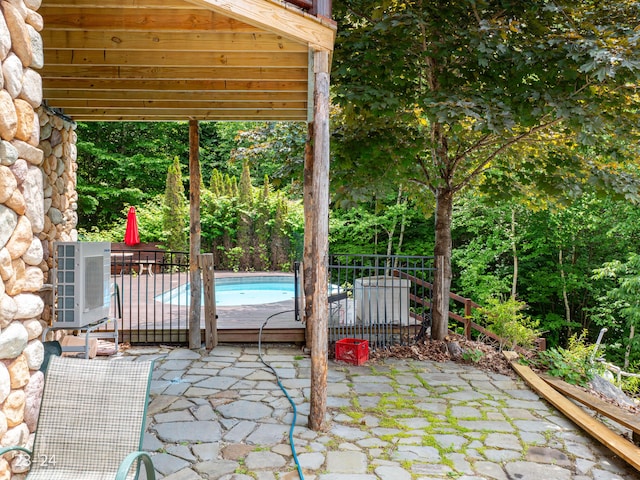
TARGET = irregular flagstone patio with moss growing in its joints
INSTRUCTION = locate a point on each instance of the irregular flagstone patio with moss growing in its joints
(221, 415)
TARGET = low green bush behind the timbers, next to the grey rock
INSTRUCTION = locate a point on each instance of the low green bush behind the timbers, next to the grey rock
(573, 364)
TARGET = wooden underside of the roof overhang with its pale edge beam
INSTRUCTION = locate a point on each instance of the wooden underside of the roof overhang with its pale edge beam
(152, 60)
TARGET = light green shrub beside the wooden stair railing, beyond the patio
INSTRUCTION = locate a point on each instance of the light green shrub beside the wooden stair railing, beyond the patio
(507, 320)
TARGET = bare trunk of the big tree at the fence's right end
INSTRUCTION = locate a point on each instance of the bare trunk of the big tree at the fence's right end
(442, 280)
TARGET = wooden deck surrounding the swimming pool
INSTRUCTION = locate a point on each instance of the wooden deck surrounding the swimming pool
(146, 319)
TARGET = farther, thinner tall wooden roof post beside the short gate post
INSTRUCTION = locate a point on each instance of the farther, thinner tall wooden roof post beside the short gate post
(195, 279)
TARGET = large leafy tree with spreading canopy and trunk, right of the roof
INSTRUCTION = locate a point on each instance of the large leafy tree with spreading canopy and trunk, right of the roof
(439, 93)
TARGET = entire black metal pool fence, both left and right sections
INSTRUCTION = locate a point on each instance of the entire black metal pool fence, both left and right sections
(385, 300)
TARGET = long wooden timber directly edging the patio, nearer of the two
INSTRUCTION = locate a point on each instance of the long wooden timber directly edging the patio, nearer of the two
(613, 441)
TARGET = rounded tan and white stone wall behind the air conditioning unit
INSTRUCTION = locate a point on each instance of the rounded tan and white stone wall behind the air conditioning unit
(37, 201)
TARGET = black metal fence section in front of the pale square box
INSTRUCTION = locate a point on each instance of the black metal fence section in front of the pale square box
(385, 300)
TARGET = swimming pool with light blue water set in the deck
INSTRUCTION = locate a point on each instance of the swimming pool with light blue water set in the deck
(236, 291)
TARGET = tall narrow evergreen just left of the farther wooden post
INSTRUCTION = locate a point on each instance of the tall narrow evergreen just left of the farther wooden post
(175, 209)
